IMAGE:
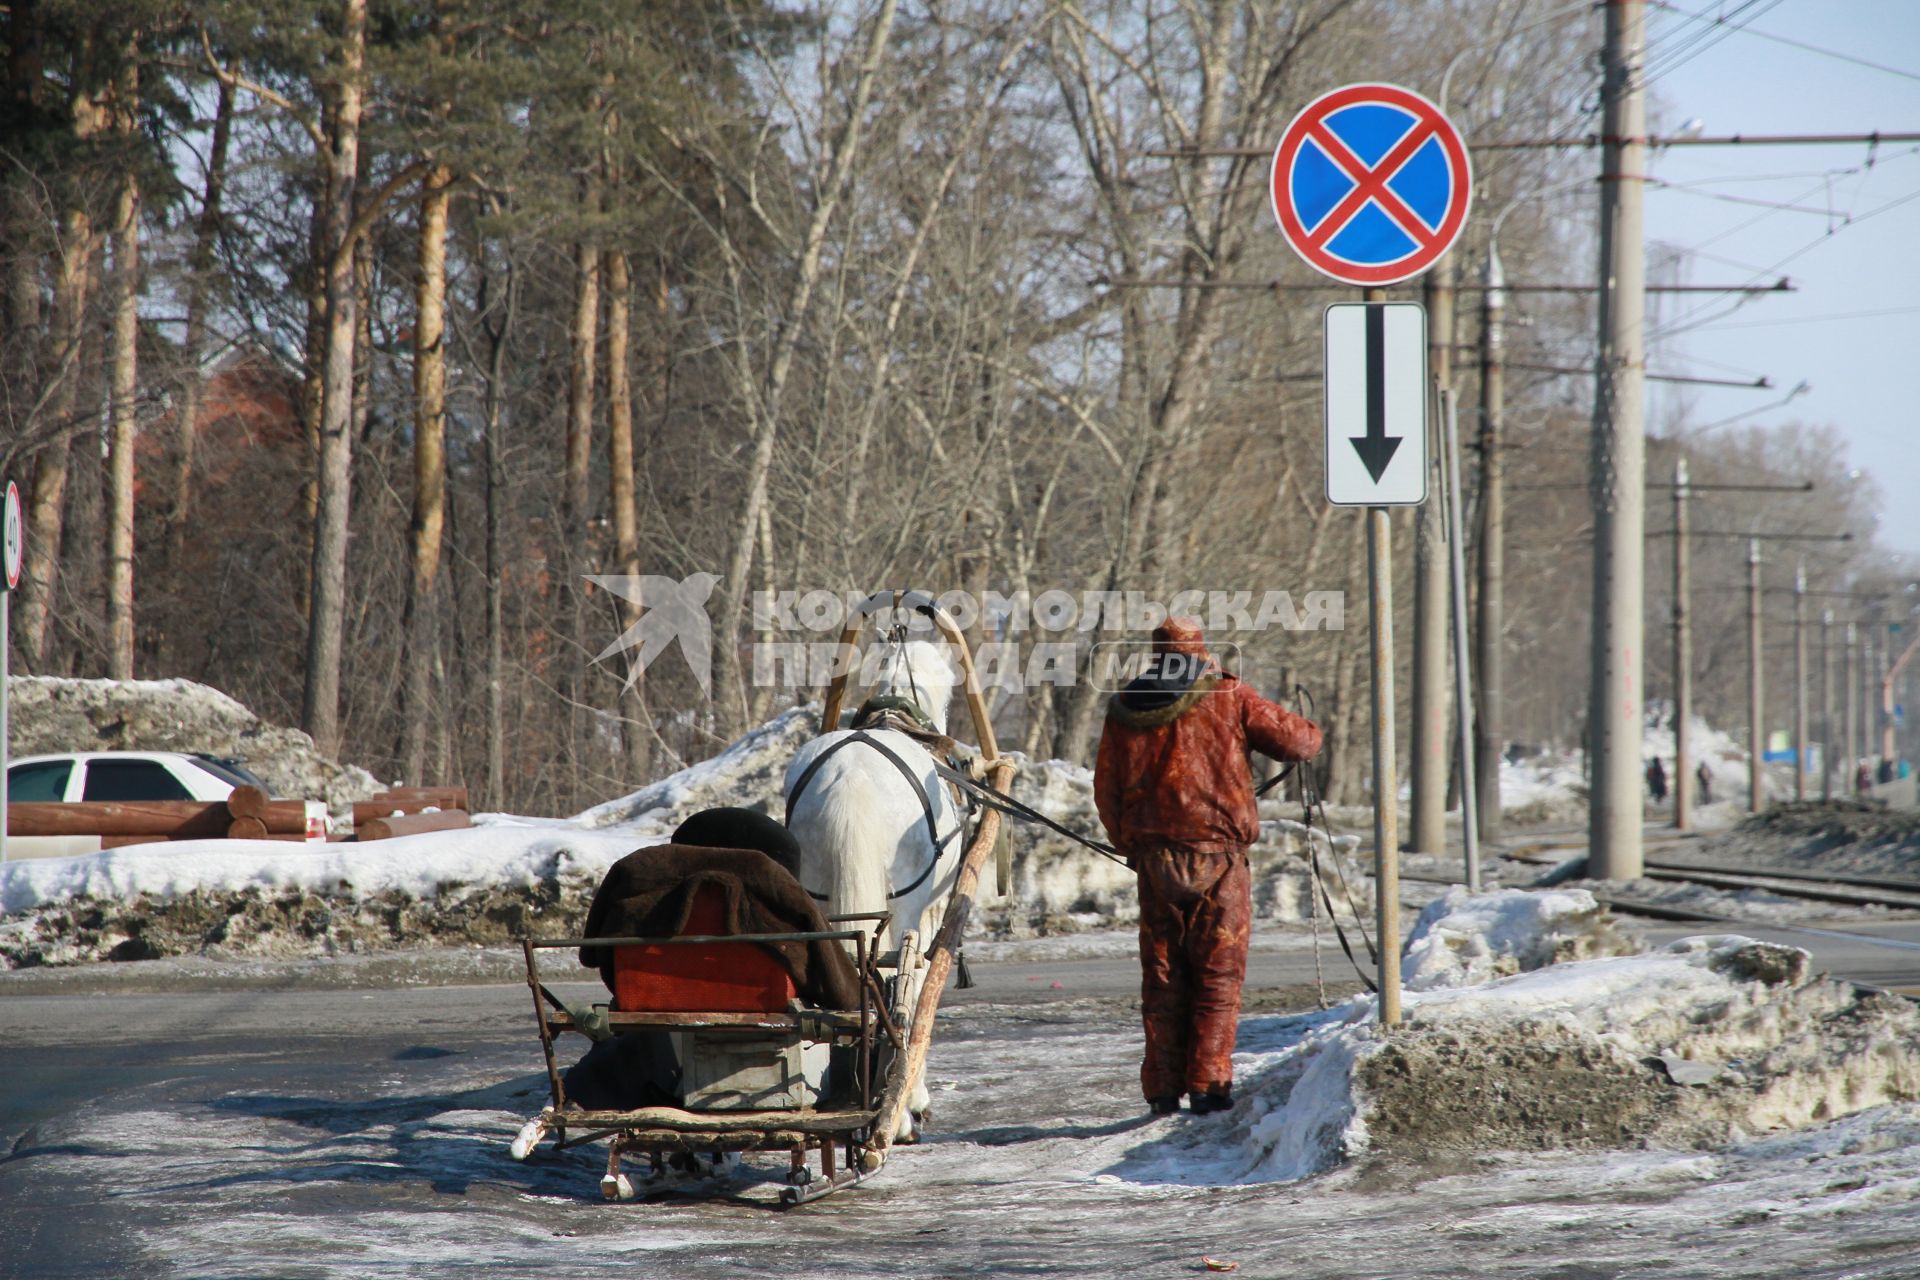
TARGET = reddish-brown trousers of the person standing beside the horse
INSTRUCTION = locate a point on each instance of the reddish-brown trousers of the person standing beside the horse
(1197, 913)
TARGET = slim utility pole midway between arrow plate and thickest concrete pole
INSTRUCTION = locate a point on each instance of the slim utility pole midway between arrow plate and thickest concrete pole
(1491, 623)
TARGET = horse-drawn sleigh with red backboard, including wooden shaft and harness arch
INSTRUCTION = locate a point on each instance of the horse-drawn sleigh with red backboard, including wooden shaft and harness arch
(759, 1070)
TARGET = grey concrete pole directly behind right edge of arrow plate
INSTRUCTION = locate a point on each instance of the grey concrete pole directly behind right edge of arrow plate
(1428, 818)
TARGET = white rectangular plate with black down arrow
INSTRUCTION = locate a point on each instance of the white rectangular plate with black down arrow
(1378, 404)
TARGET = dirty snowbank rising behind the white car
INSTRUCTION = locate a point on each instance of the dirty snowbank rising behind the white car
(55, 715)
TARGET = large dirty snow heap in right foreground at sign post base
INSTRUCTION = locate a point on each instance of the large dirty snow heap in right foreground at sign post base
(1698, 1045)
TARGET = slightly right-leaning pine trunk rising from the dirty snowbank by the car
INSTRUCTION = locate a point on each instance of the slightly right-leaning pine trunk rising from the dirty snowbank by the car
(335, 473)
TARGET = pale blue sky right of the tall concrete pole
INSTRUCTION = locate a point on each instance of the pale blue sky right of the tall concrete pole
(1854, 327)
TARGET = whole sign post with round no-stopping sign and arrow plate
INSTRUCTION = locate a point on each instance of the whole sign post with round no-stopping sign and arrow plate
(1372, 187)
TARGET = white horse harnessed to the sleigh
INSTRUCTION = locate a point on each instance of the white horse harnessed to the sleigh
(865, 828)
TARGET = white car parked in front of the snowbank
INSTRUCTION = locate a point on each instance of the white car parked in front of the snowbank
(122, 776)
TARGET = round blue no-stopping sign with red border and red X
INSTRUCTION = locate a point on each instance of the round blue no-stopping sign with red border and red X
(1372, 183)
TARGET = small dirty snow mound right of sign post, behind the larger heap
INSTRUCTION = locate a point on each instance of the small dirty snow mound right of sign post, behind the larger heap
(1464, 939)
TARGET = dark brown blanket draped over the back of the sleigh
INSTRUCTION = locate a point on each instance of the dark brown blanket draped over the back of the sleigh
(650, 895)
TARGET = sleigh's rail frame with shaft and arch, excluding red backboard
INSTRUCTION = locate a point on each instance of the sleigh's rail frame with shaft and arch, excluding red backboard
(888, 1039)
